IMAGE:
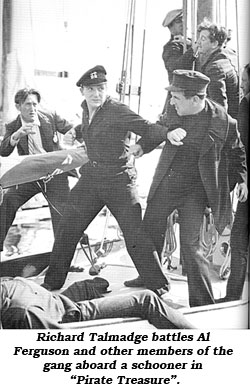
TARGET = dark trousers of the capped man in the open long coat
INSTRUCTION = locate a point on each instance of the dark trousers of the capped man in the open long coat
(191, 201)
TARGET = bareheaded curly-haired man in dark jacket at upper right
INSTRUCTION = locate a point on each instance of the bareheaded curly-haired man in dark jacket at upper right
(211, 57)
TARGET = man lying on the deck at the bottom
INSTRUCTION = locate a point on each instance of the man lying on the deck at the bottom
(25, 304)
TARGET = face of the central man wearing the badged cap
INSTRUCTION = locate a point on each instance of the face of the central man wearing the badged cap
(95, 95)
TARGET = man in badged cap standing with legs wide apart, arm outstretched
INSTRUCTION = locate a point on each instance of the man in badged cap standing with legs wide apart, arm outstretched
(109, 178)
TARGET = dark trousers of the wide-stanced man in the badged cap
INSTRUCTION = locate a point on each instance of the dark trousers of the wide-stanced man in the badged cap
(87, 198)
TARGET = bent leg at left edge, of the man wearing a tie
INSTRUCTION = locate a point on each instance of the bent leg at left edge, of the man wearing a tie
(14, 198)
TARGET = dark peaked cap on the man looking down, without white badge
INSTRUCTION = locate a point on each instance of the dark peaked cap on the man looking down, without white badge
(189, 80)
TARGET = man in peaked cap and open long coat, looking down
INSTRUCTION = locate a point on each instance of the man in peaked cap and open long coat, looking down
(192, 174)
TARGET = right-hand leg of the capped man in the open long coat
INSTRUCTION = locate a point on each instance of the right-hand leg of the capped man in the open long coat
(196, 265)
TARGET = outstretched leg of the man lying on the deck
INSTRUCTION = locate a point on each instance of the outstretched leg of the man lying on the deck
(144, 304)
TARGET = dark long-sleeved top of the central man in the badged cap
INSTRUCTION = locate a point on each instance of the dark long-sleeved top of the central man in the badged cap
(107, 135)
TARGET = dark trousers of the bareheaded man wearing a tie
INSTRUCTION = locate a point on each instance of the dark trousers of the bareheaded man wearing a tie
(57, 191)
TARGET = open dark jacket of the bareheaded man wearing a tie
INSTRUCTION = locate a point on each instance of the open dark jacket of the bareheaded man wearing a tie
(50, 124)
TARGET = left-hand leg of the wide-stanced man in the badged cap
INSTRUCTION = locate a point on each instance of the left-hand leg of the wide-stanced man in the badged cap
(82, 207)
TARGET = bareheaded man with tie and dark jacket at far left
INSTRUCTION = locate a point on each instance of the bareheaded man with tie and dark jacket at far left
(33, 132)
